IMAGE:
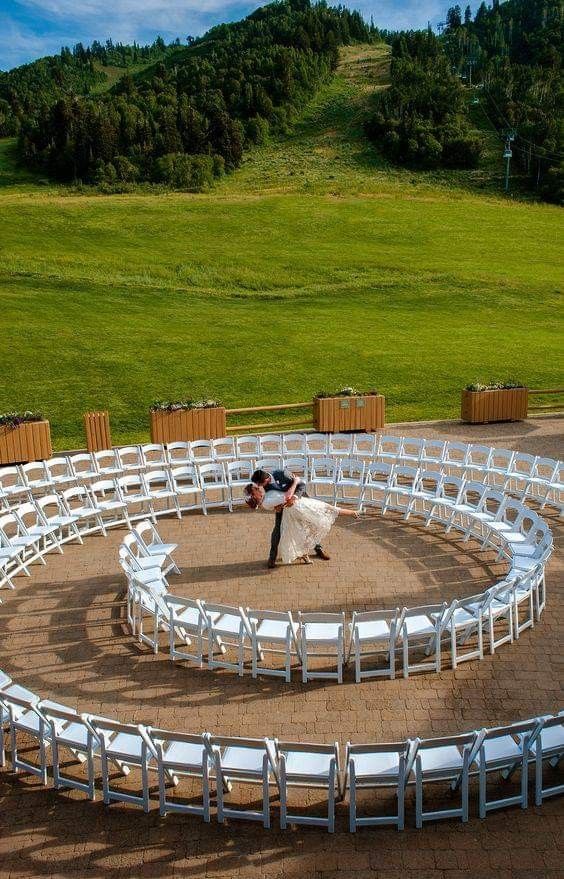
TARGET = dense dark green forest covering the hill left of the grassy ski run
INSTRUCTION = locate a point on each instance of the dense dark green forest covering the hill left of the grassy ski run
(185, 119)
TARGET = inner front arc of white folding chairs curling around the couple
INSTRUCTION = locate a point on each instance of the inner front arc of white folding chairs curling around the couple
(224, 635)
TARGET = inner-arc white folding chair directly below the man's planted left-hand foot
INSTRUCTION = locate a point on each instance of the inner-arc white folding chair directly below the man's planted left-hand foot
(273, 632)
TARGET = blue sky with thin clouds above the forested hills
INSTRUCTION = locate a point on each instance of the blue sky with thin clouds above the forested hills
(31, 28)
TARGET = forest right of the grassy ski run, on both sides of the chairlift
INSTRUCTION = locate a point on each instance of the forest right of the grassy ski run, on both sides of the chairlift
(507, 59)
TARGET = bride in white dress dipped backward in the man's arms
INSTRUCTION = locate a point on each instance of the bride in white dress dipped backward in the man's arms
(306, 521)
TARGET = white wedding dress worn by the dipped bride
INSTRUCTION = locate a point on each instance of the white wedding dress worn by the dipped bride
(304, 524)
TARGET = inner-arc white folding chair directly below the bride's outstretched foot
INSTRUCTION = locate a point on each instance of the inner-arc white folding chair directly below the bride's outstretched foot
(373, 634)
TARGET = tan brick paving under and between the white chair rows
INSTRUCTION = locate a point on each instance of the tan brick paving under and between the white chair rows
(63, 636)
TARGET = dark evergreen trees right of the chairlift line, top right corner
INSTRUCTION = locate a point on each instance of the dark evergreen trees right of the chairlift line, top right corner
(512, 54)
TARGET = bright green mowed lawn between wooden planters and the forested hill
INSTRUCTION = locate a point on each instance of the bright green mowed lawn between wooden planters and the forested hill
(111, 302)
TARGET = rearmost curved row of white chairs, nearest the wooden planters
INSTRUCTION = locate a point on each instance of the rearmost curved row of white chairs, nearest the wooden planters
(540, 479)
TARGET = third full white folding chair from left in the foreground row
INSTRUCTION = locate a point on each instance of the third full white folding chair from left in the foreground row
(131, 745)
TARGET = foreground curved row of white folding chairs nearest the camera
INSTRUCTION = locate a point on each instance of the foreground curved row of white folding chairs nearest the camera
(219, 763)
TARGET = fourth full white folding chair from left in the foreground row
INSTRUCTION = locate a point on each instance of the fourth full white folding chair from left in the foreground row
(182, 755)
